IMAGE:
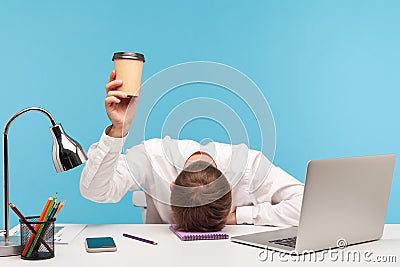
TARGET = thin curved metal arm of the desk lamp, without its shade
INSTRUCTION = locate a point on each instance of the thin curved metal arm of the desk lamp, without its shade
(5, 161)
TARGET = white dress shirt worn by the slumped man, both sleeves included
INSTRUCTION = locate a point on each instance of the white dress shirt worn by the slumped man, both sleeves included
(262, 193)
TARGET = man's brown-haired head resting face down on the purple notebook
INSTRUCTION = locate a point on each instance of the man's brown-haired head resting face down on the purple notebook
(201, 198)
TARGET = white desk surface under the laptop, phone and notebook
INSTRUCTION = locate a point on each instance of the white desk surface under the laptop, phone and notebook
(170, 251)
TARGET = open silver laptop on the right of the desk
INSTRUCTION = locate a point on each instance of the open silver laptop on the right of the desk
(344, 203)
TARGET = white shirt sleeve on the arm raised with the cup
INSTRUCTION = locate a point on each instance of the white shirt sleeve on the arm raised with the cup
(106, 176)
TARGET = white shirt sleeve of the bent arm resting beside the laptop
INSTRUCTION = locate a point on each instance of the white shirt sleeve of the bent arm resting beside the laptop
(276, 196)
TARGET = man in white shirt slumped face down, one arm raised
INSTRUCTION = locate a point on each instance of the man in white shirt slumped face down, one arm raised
(197, 187)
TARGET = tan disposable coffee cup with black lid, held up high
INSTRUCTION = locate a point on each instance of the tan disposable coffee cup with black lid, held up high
(128, 68)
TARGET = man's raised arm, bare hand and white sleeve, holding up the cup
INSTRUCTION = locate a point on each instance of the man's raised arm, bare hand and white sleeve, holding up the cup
(106, 176)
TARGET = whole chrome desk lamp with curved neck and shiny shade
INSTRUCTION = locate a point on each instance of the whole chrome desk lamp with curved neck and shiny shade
(67, 154)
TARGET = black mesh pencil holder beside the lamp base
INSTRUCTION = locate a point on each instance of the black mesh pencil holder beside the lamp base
(37, 238)
